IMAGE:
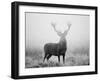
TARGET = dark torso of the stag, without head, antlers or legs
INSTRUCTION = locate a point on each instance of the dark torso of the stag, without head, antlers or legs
(56, 48)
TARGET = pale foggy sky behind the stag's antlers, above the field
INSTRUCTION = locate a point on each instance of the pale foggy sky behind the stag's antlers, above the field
(39, 30)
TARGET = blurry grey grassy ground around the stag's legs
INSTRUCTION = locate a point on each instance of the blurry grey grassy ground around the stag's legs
(34, 59)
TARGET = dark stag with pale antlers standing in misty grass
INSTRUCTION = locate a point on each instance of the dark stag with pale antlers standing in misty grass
(57, 49)
